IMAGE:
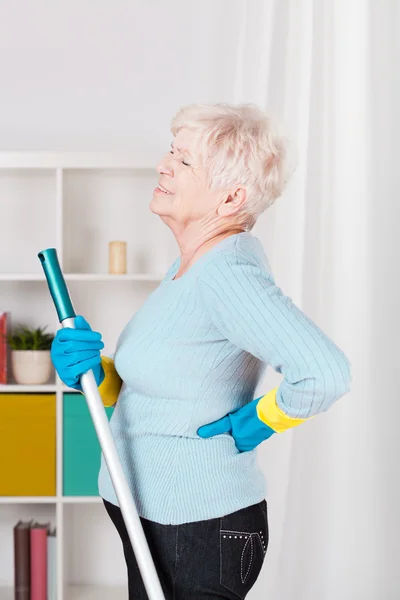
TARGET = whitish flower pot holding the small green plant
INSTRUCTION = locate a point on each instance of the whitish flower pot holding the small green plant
(32, 367)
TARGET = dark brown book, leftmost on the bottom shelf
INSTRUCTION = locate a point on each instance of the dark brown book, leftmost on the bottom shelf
(22, 561)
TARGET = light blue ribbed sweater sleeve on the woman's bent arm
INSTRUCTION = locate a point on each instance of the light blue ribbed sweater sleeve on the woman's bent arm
(252, 312)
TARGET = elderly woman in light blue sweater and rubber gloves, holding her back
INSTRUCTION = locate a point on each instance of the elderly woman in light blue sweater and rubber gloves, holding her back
(187, 364)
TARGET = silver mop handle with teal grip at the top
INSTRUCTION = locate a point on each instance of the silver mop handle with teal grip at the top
(66, 316)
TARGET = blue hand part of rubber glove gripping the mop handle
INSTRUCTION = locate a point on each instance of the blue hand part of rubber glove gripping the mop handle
(76, 351)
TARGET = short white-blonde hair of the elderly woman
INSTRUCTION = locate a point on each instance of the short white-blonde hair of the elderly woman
(240, 145)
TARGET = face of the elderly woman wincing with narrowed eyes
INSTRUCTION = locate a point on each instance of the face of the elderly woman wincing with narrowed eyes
(183, 194)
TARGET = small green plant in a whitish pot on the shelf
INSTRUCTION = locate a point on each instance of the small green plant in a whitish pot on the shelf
(30, 355)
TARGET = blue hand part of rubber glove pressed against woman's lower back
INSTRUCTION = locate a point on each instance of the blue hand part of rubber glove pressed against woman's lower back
(243, 424)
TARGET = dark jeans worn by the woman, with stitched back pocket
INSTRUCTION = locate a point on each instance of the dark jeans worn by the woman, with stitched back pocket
(205, 560)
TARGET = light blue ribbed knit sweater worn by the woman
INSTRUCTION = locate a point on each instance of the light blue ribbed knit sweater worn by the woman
(195, 351)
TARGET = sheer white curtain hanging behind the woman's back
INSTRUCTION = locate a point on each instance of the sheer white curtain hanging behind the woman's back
(329, 71)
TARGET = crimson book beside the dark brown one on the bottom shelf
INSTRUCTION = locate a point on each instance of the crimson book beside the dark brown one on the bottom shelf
(38, 540)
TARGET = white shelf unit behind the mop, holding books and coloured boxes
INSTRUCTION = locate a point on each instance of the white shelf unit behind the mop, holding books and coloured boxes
(76, 203)
